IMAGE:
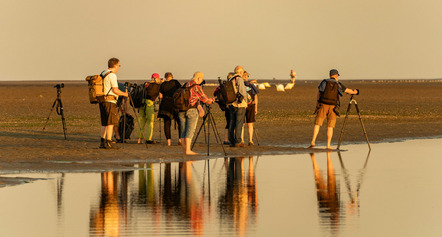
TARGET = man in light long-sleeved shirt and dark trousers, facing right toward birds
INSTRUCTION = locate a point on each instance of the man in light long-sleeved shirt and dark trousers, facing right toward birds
(237, 110)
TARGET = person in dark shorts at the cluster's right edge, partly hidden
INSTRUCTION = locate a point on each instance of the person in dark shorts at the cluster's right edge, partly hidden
(252, 107)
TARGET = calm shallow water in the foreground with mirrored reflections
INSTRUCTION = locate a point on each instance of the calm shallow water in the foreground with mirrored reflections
(393, 191)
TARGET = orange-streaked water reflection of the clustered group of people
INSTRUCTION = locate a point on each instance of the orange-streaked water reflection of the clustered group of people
(177, 196)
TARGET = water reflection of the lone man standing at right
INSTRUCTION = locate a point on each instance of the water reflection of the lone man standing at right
(328, 197)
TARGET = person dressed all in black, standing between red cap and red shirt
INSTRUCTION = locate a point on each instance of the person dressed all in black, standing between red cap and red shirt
(167, 111)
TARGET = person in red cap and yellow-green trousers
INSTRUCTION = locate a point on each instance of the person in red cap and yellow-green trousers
(147, 110)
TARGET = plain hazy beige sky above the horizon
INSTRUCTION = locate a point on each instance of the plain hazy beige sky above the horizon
(364, 39)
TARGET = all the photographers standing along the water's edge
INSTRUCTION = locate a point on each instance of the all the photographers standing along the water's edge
(242, 110)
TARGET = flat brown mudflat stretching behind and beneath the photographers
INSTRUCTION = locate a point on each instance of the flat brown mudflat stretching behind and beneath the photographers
(390, 110)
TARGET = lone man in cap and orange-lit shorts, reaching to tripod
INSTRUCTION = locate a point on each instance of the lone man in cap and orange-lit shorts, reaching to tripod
(329, 91)
